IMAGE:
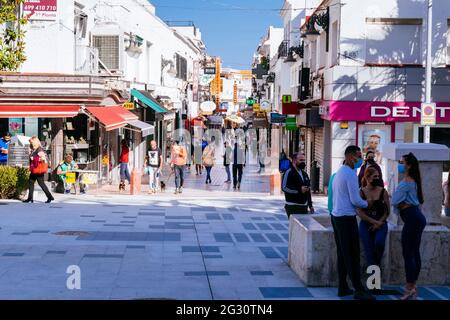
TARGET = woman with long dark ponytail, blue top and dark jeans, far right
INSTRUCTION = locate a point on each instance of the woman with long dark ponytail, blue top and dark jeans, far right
(407, 199)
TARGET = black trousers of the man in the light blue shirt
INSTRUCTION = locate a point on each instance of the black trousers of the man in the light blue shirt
(348, 252)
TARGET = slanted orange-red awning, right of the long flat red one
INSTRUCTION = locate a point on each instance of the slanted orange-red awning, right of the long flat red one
(112, 117)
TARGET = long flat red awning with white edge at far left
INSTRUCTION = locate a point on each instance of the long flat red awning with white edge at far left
(43, 111)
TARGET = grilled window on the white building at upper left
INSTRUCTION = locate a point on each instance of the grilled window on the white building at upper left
(108, 50)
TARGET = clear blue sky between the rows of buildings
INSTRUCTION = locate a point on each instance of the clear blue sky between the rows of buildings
(230, 28)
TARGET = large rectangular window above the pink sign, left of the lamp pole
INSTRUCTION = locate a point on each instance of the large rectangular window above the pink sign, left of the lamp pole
(393, 41)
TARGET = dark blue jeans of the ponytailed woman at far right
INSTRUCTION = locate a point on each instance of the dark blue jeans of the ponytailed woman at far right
(415, 223)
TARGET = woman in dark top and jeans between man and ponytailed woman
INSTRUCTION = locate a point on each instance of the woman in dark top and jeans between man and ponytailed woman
(373, 227)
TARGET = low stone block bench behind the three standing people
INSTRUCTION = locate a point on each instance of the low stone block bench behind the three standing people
(312, 253)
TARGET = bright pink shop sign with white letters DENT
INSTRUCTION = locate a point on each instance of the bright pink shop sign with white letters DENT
(381, 111)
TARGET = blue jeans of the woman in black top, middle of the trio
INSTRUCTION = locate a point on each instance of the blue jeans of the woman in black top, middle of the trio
(373, 242)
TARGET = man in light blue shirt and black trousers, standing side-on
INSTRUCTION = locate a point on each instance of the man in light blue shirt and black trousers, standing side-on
(346, 199)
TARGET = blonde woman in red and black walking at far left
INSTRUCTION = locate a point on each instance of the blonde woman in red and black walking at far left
(38, 167)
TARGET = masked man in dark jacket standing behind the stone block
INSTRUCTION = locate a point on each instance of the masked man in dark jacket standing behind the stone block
(296, 187)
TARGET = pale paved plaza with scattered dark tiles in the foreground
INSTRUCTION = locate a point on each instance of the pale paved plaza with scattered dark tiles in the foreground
(171, 247)
